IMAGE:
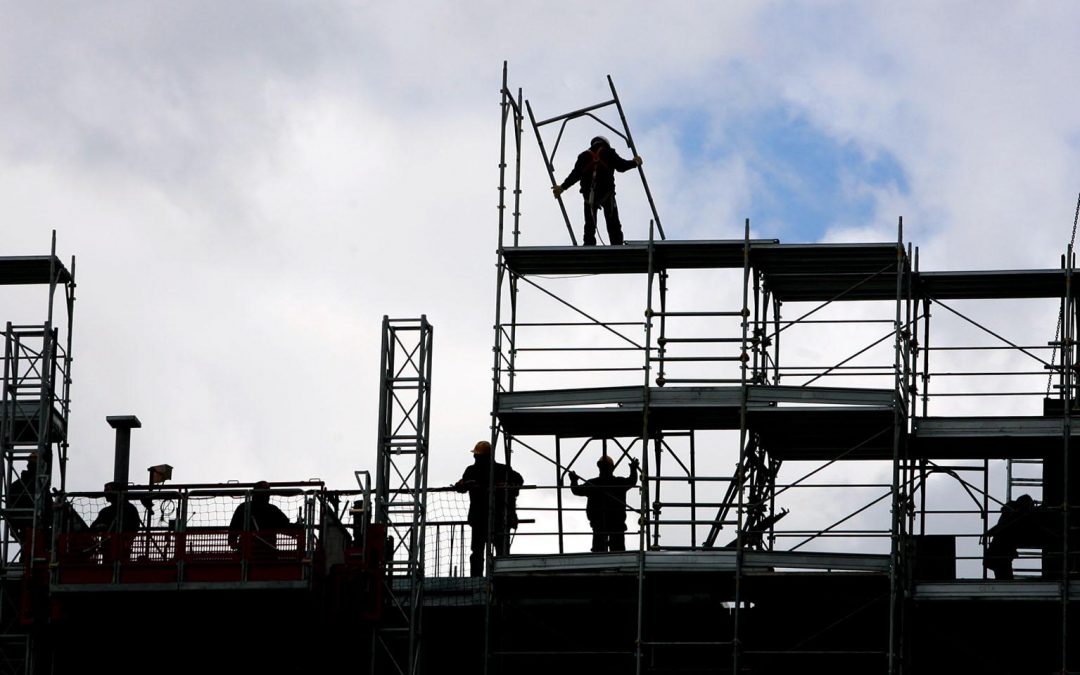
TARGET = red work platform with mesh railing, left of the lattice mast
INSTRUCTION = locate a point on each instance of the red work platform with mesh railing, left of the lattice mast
(206, 534)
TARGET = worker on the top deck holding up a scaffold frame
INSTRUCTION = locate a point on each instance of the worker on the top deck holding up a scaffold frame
(596, 169)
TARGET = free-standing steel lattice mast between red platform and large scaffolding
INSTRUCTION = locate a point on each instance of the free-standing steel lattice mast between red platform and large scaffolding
(402, 478)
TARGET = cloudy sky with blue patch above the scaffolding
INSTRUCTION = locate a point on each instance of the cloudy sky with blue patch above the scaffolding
(250, 187)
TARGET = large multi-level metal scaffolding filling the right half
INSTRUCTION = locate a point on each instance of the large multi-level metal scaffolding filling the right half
(709, 370)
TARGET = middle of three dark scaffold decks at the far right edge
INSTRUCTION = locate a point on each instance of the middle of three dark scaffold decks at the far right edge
(989, 438)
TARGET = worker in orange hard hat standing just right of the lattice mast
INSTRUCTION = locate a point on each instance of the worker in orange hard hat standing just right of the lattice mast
(477, 481)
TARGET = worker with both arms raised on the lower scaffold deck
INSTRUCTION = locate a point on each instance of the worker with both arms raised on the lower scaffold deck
(607, 504)
